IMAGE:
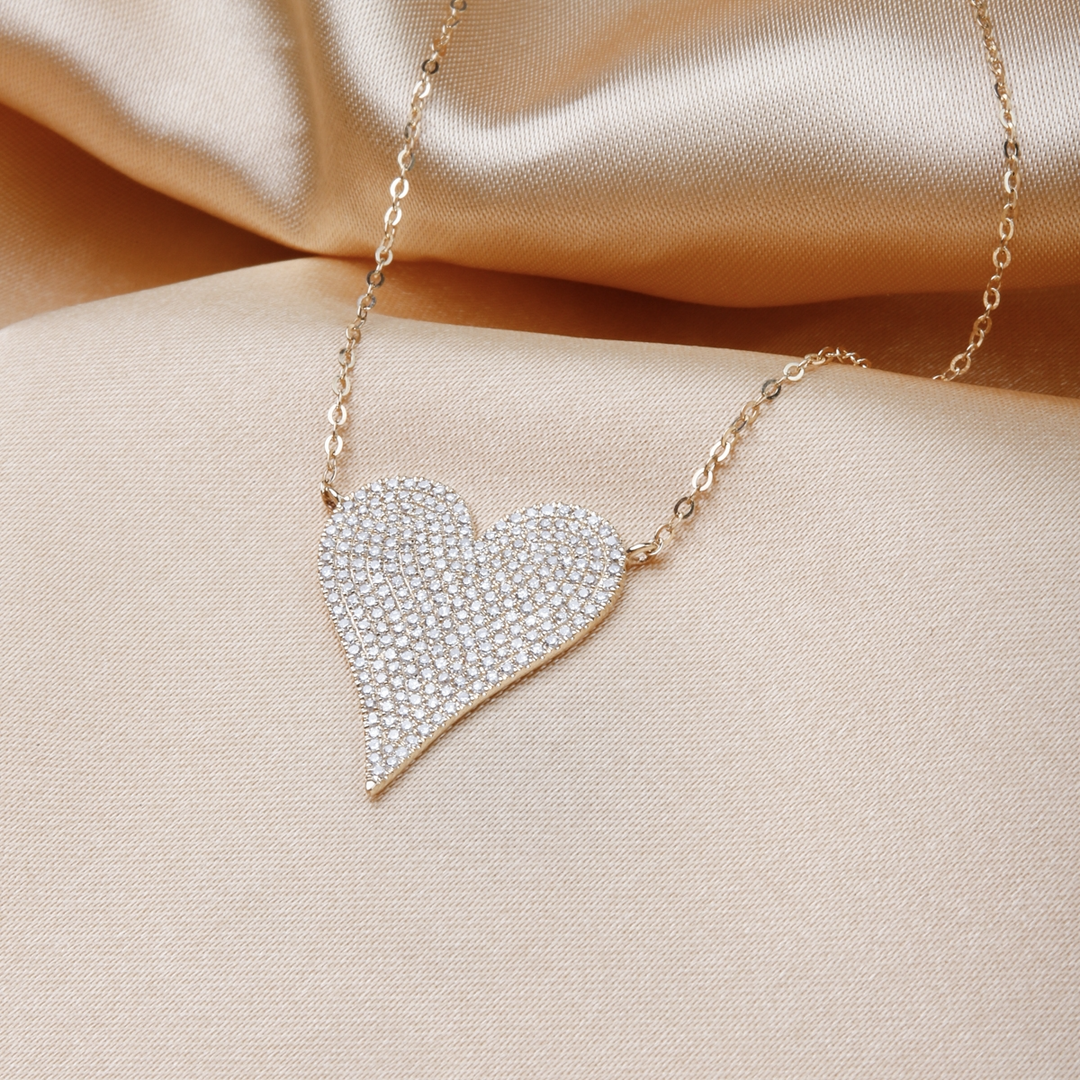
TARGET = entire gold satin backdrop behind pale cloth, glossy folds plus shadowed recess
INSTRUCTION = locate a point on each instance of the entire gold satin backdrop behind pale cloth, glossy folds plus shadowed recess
(737, 155)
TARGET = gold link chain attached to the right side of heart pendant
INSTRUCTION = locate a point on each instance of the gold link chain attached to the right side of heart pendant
(960, 366)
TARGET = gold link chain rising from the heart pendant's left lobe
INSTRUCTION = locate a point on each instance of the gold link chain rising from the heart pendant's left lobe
(339, 413)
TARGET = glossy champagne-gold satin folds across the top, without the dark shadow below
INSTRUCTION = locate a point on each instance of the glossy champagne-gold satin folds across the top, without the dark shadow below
(736, 154)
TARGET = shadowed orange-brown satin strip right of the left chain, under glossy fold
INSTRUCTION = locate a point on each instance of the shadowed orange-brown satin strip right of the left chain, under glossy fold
(1032, 348)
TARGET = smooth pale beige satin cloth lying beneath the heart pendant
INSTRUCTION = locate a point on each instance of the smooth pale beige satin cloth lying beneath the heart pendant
(806, 806)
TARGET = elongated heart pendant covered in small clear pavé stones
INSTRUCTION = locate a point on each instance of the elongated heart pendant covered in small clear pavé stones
(435, 622)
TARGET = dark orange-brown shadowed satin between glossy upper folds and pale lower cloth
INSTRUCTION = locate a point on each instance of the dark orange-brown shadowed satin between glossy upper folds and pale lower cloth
(79, 231)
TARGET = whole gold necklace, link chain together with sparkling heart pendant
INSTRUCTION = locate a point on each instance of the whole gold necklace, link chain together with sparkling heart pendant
(435, 620)
